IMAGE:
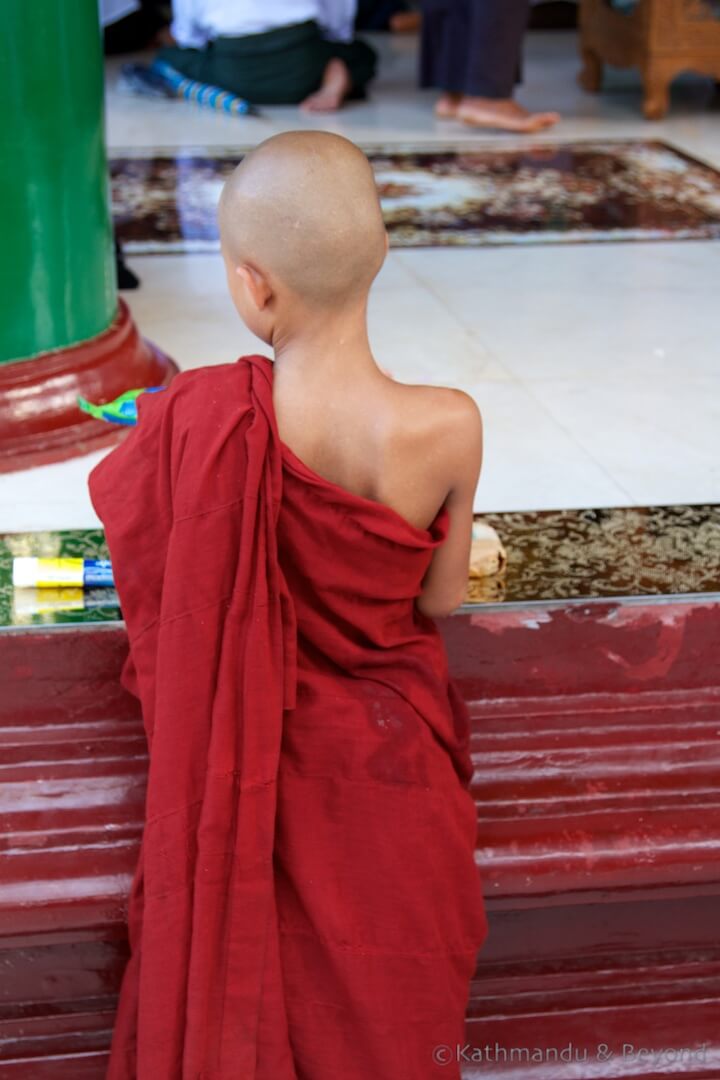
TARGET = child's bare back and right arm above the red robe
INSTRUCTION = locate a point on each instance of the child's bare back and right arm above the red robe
(414, 449)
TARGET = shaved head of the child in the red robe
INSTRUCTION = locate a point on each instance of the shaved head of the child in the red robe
(303, 209)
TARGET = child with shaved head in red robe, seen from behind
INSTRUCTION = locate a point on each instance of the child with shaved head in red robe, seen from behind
(307, 903)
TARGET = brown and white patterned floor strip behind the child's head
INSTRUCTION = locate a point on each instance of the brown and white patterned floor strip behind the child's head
(442, 197)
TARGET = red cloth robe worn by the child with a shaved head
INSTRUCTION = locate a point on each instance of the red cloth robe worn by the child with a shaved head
(306, 903)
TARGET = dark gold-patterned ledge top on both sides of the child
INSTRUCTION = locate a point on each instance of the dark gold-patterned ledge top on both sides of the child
(552, 556)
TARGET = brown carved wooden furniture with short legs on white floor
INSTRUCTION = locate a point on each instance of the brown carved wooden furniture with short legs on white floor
(661, 37)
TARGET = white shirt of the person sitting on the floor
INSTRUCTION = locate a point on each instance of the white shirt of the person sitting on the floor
(198, 22)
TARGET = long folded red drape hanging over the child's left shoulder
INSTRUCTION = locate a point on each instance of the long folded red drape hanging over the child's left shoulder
(189, 503)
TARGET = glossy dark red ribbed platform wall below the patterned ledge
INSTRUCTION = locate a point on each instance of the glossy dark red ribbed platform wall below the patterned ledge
(599, 799)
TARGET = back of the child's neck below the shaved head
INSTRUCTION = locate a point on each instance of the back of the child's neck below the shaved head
(325, 345)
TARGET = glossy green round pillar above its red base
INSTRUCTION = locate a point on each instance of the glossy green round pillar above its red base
(58, 282)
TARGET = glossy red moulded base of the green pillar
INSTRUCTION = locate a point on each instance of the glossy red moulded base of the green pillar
(40, 420)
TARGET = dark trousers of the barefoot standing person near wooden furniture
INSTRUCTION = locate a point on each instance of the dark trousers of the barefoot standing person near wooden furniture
(473, 47)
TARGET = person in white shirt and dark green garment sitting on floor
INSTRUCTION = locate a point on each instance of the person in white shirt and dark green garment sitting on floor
(278, 52)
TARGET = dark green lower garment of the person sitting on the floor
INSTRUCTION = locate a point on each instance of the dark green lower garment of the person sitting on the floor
(279, 67)
